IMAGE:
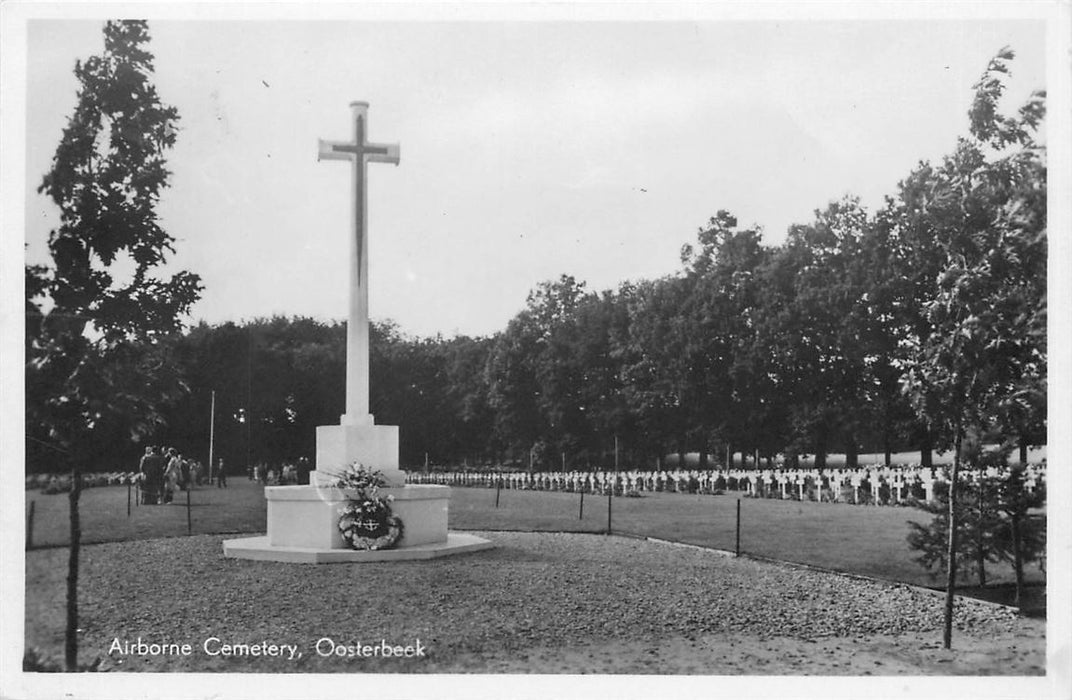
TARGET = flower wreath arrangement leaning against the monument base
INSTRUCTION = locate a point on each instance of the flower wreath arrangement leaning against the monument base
(367, 522)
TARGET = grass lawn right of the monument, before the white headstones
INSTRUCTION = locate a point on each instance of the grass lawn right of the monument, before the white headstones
(869, 541)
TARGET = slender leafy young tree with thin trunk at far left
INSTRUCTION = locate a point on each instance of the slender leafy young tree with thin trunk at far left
(92, 361)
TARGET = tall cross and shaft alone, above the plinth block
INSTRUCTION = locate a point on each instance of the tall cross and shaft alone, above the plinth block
(360, 153)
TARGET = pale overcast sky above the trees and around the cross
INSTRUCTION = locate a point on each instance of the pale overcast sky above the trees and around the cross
(529, 150)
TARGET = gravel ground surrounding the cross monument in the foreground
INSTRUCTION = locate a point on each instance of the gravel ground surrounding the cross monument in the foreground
(537, 604)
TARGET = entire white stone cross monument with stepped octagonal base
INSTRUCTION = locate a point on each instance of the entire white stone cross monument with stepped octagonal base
(304, 520)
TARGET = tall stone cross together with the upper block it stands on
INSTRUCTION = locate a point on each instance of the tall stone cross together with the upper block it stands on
(358, 439)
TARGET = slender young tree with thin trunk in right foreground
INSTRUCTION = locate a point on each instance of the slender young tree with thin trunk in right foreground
(984, 365)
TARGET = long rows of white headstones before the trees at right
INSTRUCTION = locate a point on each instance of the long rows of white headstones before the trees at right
(903, 483)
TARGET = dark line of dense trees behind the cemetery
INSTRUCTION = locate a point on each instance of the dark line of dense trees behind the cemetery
(863, 332)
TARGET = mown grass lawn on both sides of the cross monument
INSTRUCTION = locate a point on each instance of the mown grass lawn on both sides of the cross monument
(867, 541)
